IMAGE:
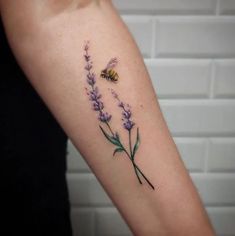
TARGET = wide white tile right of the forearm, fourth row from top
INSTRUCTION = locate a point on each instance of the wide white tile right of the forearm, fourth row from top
(199, 117)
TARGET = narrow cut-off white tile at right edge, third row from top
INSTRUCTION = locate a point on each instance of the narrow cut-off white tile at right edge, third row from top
(225, 79)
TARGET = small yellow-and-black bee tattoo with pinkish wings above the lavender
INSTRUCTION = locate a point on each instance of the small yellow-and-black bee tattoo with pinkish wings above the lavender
(109, 73)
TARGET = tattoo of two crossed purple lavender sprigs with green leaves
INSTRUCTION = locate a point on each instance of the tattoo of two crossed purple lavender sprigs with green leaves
(105, 118)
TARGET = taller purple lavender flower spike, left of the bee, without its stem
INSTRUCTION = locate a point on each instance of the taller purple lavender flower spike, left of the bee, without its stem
(93, 93)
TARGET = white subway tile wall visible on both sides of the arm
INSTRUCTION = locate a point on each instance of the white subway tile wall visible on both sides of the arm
(189, 49)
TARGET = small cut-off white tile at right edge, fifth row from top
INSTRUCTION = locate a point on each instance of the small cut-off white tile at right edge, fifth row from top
(222, 154)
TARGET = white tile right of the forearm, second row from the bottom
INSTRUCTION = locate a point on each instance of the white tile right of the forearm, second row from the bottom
(216, 189)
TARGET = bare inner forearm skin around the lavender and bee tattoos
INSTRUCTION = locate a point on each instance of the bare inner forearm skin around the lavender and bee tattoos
(51, 52)
